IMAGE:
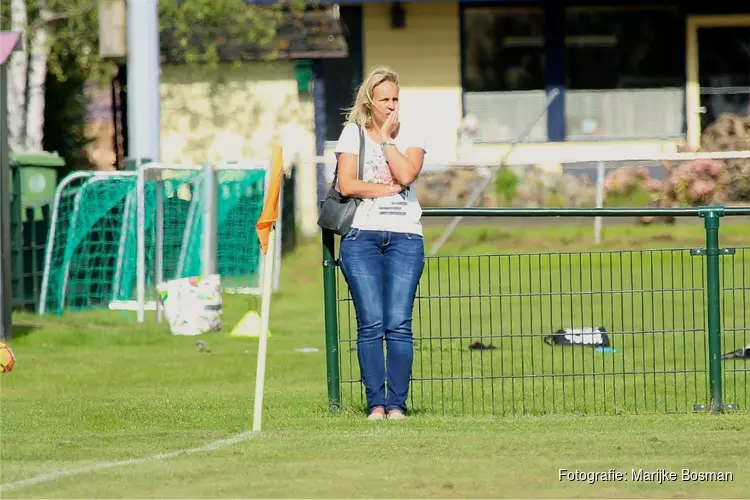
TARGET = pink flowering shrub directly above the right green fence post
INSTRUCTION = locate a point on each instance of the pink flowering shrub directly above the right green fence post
(697, 182)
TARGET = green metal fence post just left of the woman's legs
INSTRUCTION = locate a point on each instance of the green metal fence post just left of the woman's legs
(332, 341)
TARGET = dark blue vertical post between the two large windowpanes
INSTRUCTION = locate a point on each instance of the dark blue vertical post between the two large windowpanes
(554, 47)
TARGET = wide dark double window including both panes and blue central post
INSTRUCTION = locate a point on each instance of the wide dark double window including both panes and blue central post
(622, 68)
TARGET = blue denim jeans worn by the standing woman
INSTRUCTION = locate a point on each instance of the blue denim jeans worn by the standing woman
(382, 270)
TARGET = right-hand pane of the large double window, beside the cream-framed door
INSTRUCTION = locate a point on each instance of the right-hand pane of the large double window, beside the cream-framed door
(624, 72)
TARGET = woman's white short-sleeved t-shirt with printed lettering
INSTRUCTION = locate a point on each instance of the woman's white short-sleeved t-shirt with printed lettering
(399, 213)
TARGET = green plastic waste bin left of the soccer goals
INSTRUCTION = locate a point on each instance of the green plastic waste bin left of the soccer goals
(34, 179)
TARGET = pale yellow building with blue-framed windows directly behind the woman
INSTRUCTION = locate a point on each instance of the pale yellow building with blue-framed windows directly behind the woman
(638, 76)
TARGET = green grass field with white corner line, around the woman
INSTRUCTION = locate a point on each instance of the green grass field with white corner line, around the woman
(96, 388)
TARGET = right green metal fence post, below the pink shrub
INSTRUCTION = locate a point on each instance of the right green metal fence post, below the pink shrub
(711, 216)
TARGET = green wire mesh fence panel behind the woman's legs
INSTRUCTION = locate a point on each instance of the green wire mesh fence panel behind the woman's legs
(484, 329)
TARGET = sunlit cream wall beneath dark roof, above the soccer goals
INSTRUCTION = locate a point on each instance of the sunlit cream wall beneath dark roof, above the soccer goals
(233, 112)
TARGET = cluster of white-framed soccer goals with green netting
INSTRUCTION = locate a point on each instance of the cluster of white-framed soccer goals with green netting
(115, 235)
